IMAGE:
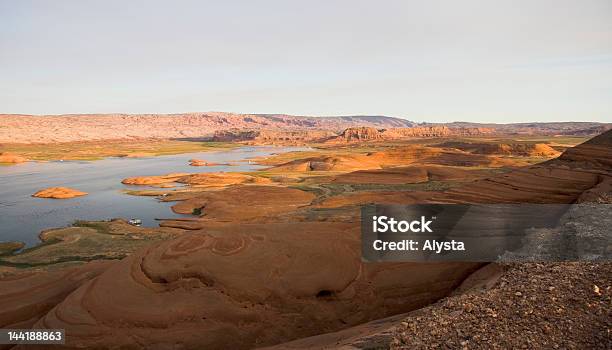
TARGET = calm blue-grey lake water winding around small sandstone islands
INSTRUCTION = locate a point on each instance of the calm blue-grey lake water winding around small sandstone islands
(22, 216)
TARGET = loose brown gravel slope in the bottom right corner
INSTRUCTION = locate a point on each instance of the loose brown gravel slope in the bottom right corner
(532, 306)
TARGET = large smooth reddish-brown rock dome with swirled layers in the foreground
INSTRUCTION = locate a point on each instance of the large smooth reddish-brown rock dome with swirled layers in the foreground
(240, 286)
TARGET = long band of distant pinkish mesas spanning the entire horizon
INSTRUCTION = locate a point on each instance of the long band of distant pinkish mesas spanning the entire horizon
(255, 128)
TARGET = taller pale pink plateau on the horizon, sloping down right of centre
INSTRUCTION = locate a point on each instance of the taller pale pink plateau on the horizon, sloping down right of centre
(15, 128)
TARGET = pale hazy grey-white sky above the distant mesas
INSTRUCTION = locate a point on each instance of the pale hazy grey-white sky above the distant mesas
(437, 61)
